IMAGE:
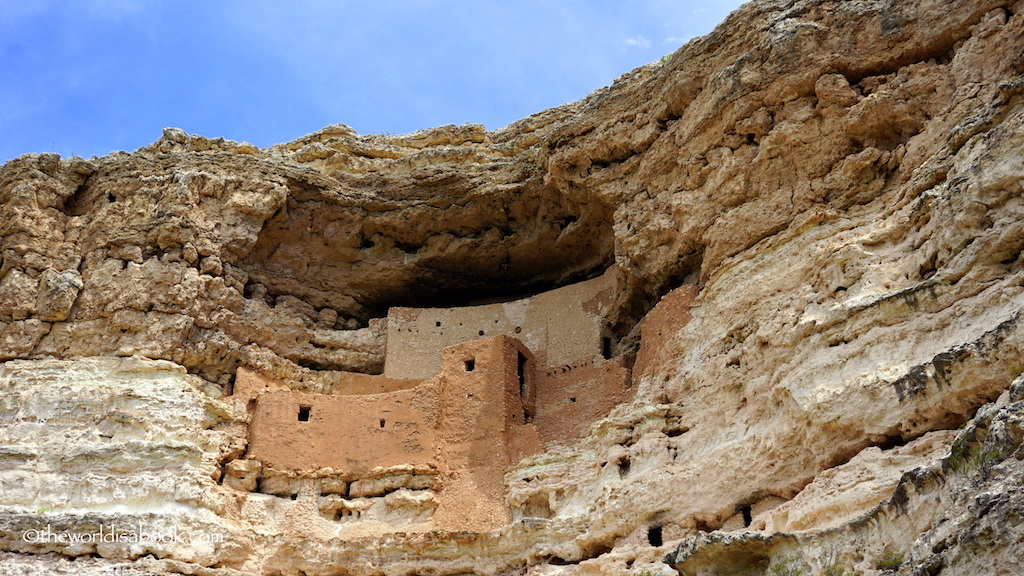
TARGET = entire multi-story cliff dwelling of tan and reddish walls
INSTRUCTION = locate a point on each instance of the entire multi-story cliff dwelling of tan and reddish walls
(466, 393)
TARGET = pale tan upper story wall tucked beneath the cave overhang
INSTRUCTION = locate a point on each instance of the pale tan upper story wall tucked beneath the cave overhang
(561, 327)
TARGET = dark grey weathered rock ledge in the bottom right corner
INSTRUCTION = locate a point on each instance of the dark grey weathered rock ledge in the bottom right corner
(957, 513)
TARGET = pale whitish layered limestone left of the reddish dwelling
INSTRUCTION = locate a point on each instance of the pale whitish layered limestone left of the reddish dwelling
(131, 445)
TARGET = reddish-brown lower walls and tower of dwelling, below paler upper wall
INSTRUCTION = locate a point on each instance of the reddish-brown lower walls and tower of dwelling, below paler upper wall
(472, 425)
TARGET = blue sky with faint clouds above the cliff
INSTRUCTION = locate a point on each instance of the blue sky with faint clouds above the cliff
(89, 77)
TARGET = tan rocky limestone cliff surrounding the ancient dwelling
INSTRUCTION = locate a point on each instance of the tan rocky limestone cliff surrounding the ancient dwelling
(825, 197)
